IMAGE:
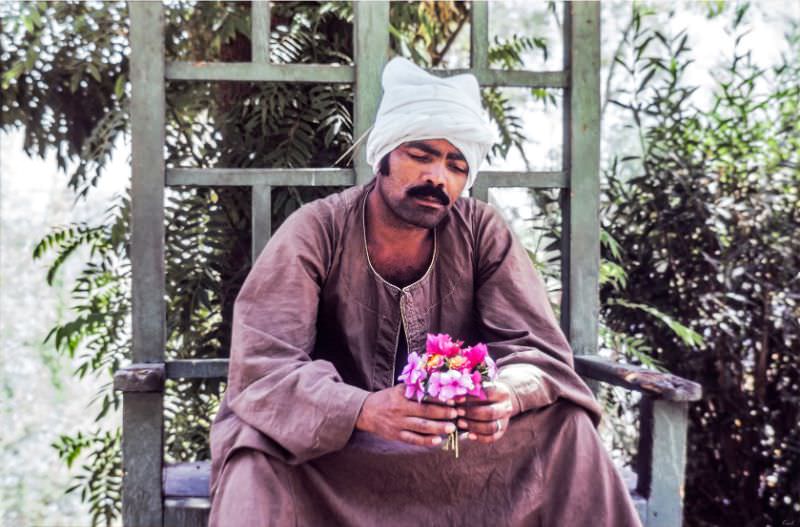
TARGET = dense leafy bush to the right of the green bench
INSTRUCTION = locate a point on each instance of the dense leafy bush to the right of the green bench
(707, 214)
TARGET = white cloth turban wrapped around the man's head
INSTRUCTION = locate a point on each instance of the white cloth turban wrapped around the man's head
(417, 106)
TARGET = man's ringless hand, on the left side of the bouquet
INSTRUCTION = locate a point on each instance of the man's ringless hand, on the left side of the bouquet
(390, 415)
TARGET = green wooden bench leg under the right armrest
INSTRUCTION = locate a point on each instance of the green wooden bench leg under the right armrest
(661, 460)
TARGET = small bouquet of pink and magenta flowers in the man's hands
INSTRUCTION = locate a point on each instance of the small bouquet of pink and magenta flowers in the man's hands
(448, 370)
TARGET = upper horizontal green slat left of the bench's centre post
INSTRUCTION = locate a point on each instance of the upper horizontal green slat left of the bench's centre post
(257, 72)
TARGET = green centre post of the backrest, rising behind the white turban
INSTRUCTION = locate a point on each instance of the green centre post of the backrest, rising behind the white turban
(371, 51)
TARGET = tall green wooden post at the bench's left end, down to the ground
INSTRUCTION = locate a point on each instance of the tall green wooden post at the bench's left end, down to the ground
(142, 416)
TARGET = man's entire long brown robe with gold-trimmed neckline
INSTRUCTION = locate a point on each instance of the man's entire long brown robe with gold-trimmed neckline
(315, 330)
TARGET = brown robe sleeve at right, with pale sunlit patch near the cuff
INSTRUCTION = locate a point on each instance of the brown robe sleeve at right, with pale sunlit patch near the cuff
(518, 324)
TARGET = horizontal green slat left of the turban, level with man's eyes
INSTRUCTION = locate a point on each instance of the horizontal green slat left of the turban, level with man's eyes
(260, 176)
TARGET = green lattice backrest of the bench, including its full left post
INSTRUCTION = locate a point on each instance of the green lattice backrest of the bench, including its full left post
(577, 180)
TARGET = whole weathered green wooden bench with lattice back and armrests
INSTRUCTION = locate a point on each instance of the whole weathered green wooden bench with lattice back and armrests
(156, 494)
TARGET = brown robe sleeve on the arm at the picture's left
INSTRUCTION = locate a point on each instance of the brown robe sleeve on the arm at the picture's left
(274, 386)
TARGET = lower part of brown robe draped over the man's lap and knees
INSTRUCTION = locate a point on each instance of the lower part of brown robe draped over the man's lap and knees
(549, 470)
